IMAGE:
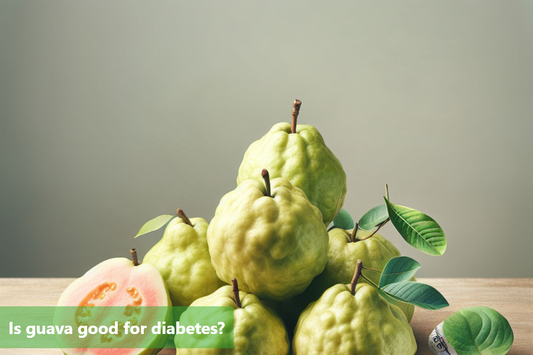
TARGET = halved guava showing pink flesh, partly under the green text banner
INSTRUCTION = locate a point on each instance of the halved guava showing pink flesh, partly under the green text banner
(126, 287)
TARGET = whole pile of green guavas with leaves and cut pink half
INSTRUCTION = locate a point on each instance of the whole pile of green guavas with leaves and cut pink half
(280, 250)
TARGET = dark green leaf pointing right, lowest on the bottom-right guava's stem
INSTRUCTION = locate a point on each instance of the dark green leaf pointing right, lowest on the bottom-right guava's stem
(419, 294)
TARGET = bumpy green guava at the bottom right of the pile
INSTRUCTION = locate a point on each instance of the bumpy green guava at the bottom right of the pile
(365, 324)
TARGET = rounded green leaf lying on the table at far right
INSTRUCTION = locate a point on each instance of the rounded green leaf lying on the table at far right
(478, 330)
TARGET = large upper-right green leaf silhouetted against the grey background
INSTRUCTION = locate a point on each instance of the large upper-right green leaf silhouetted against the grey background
(418, 229)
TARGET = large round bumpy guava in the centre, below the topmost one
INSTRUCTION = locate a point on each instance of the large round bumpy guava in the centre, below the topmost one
(274, 245)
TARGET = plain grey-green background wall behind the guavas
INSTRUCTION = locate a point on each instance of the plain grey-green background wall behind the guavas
(115, 112)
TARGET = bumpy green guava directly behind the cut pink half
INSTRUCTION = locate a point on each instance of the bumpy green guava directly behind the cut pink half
(182, 258)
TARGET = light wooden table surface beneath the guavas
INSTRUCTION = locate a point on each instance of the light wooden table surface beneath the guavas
(513, 298)
